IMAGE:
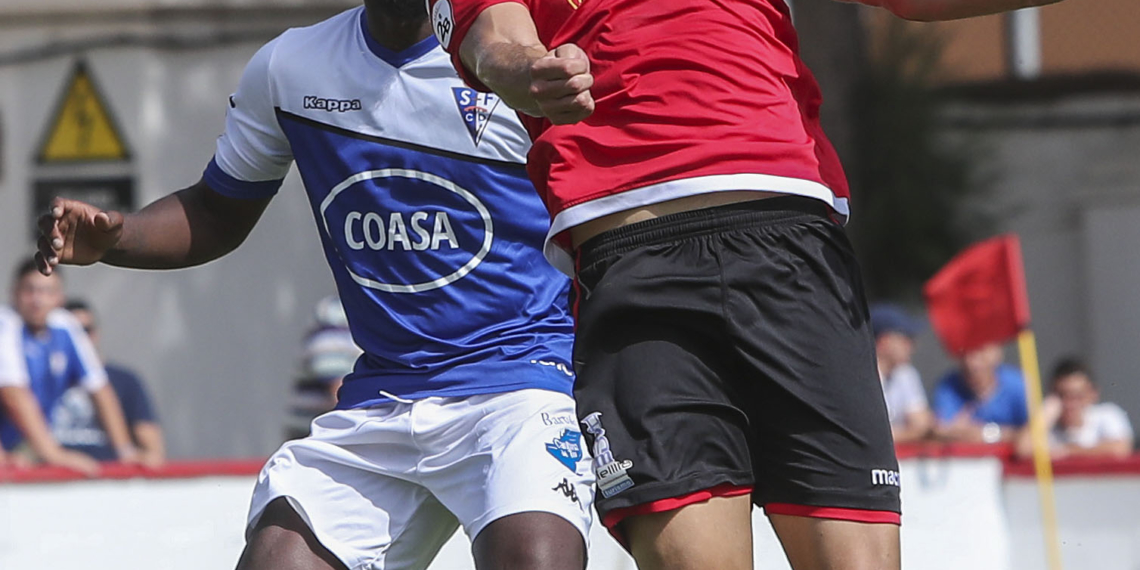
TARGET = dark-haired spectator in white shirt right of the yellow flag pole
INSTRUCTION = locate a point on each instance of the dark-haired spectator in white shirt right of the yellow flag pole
(1078, 424)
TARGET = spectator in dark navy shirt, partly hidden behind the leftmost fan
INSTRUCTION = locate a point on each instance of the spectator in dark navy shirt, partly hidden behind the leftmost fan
(75, 422)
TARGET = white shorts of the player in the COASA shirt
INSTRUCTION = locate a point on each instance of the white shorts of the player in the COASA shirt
(384, 488)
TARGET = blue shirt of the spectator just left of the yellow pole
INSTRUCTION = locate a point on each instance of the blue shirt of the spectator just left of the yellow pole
(1004, 406)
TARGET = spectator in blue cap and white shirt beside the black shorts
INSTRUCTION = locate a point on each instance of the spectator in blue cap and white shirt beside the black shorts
(902, 387)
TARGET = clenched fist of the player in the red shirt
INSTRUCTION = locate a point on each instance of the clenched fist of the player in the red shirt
(560, 84)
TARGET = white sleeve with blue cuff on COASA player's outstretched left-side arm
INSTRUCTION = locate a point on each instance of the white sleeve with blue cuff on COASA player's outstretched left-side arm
(254, 156)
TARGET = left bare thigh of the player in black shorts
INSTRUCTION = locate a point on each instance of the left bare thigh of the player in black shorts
(713, 534)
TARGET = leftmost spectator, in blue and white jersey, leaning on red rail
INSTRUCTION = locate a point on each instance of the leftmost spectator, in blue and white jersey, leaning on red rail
(44, 353)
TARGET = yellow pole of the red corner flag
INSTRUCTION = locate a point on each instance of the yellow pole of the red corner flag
(1028, 346)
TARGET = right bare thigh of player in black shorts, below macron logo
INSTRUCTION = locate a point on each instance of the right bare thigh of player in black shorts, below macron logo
(826, 544)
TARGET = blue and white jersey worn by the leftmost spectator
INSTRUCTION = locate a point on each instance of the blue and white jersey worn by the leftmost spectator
(48, 364)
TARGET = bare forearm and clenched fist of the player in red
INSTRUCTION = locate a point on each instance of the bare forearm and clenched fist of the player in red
(502, 48)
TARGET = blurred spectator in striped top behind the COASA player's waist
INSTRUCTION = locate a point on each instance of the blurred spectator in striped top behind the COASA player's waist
(330, 355)
